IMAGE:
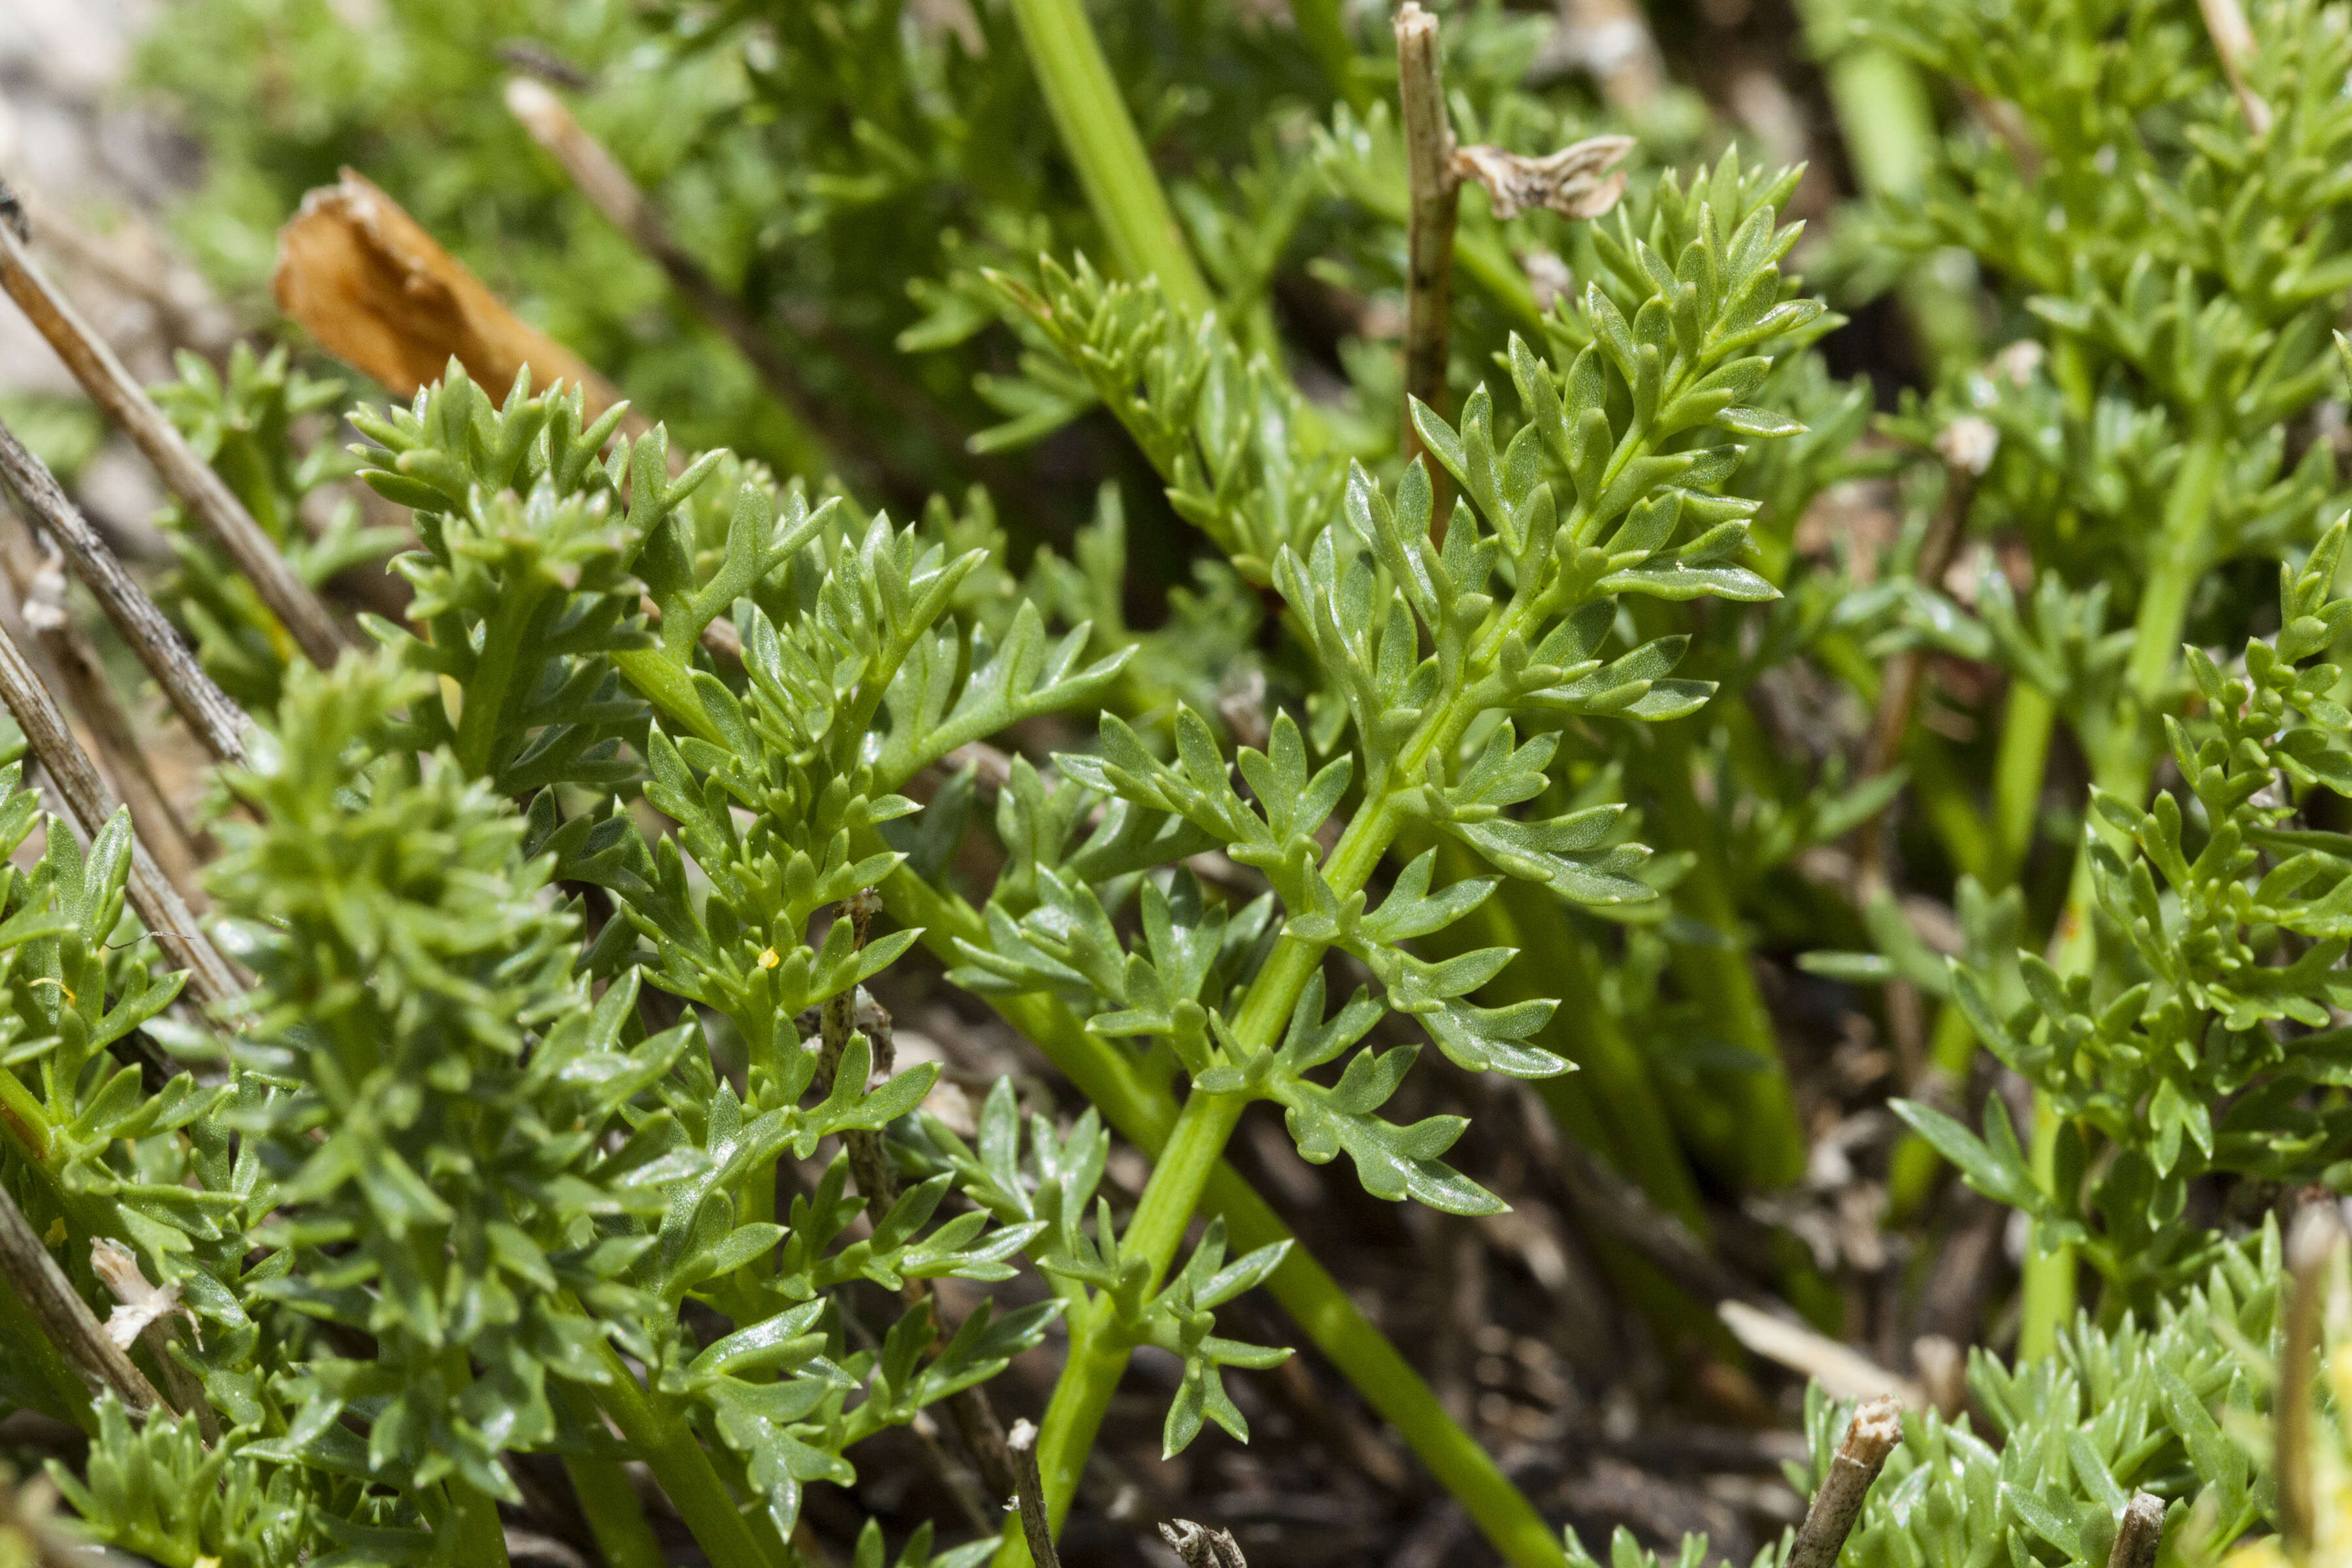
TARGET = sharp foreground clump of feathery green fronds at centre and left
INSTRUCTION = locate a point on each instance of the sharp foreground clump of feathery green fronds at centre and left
(857, 681)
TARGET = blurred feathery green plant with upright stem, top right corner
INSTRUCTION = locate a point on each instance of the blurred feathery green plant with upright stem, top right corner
(2177, 257)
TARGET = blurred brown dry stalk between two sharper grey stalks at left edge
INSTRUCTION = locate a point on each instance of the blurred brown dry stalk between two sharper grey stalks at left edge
(91, 697)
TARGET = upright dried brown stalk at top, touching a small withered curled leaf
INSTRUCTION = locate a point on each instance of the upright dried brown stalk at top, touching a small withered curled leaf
(1429, 232)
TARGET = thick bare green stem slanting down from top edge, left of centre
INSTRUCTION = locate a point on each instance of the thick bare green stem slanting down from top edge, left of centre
(1107, 152)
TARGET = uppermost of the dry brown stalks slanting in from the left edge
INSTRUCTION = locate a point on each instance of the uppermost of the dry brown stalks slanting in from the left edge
(187, 476)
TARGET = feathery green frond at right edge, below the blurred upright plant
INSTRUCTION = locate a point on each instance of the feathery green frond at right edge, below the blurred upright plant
(2212, 1057)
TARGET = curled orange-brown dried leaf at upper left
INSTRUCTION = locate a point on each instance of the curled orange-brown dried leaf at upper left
(385, 297)
